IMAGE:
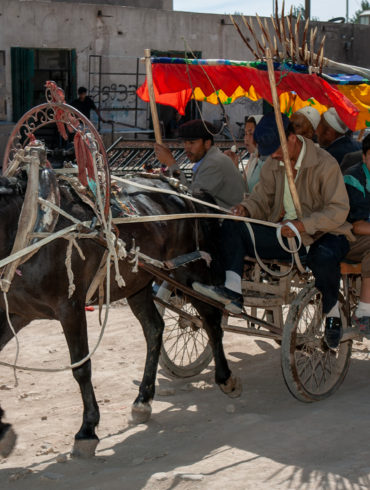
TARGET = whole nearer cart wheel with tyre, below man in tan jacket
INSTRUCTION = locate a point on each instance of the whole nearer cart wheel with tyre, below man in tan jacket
(311, 370)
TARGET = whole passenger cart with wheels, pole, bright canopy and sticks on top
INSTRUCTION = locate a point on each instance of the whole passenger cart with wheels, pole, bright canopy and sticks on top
(282, 305)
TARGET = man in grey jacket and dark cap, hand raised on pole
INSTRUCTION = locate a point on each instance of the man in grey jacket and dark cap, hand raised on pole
(213, 172)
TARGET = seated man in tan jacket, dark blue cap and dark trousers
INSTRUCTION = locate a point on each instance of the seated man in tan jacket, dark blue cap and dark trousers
(323, 228)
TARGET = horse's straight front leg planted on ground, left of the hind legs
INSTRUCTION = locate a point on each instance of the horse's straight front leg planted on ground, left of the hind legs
(73, 319)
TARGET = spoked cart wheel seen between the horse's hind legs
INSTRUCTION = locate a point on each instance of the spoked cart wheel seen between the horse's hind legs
(185, 350)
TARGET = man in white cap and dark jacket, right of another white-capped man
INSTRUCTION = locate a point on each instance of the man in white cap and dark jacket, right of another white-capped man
(331, 134)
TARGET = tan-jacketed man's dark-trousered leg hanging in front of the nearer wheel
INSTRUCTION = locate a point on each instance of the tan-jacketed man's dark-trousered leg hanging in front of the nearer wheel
(324, 260)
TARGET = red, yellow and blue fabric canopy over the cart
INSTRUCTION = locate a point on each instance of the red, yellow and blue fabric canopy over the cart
(177, 80)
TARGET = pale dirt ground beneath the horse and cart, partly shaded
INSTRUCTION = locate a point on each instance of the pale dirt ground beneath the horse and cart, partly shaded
(197, 437)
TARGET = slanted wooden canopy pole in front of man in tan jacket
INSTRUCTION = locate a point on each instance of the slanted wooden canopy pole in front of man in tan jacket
(284, 145)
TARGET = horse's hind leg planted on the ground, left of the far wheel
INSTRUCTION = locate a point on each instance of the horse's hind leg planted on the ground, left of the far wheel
(143, 307)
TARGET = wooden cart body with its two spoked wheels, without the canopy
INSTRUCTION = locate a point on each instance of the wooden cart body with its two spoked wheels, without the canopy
(286, 309)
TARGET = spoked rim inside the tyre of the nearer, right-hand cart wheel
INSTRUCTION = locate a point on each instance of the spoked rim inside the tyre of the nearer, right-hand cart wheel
(316, 367)
